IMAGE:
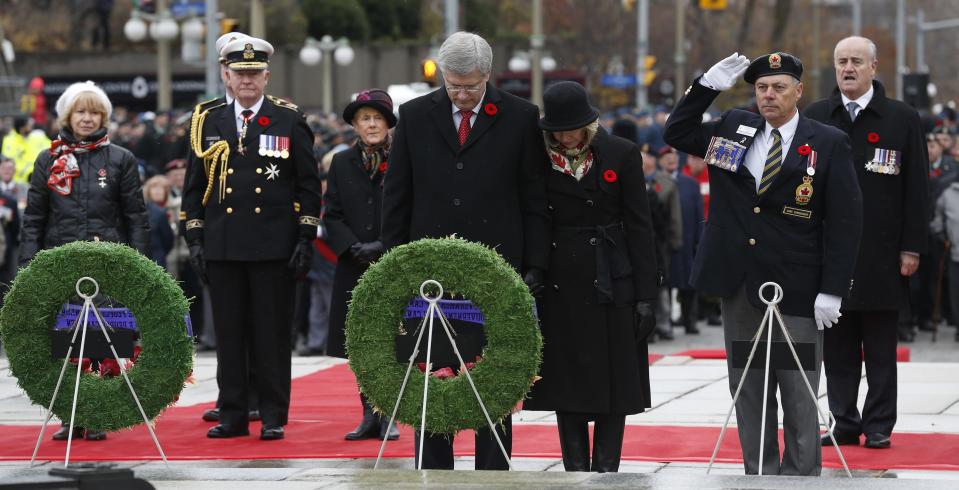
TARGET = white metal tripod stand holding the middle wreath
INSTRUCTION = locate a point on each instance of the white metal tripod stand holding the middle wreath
(433, 310)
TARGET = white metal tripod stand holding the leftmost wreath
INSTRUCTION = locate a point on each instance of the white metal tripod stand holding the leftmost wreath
(81, 329)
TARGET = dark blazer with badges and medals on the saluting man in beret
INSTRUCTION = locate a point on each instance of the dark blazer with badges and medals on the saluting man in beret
(806, 240)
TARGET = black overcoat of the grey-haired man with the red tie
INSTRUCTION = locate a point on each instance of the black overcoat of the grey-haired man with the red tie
(490, 190)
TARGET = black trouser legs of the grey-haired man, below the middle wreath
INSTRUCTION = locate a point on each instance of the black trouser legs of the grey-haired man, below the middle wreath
(438, 448)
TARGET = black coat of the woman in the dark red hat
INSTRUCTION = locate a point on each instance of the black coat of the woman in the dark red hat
(351, 214)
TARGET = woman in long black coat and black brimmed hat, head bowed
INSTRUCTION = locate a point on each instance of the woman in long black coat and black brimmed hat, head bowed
(595, 311)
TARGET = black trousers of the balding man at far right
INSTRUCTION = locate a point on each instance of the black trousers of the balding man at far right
(860, 336)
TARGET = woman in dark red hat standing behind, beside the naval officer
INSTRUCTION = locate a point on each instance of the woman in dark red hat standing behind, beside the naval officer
(351, 214)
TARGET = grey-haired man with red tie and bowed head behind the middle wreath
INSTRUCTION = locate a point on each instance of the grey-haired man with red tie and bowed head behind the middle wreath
(468, 159)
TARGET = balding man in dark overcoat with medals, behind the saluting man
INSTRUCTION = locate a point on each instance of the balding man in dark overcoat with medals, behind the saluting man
(889, 156)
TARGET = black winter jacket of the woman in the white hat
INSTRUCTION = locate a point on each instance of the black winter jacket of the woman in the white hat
(111, 209)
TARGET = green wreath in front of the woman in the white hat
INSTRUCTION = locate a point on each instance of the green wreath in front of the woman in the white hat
(154, 298)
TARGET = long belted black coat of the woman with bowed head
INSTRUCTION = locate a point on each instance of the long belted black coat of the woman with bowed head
(602, 260)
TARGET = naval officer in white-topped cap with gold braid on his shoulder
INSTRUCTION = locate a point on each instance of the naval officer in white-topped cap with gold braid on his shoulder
(251, 203)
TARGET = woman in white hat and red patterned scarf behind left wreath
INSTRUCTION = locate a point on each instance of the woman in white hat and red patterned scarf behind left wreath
(83, 188)
